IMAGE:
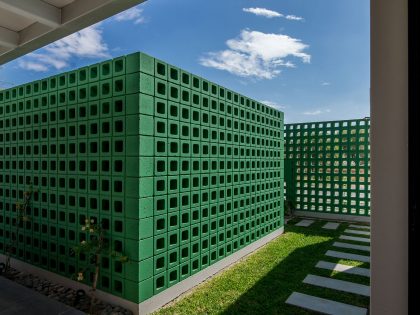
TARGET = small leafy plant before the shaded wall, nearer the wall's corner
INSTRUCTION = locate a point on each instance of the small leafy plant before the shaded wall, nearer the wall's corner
(95, 247)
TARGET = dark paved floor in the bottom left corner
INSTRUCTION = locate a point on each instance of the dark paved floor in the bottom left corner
(15, 299)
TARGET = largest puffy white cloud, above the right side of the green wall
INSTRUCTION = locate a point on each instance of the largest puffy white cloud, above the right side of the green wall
(257, 54)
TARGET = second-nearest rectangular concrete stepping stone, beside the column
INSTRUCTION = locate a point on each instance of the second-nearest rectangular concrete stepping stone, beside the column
(339, 285)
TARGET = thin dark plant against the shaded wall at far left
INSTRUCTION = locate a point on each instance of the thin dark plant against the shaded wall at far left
(21, 216)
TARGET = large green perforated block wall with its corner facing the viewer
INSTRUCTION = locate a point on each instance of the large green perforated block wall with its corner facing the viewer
(181, 171)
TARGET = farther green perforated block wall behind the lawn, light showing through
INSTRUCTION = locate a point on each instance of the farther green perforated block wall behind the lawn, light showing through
(327, 166)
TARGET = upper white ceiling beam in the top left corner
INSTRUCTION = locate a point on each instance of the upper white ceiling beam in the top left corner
(35, 9)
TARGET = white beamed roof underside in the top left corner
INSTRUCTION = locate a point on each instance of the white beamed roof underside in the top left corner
(26, 25)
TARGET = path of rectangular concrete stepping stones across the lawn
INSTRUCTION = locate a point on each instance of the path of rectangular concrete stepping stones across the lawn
(326, 306)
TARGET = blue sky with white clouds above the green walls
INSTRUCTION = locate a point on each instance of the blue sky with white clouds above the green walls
(310, 58)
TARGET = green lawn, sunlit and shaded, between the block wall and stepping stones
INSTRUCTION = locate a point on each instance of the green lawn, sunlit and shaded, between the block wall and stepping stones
(261, 283)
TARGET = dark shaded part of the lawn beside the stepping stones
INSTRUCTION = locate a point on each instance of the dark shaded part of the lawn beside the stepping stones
(268, 295)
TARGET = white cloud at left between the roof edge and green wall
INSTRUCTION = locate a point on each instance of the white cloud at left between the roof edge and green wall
(87, 43)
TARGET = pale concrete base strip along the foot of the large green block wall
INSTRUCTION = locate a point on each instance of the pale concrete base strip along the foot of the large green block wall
(162, 298)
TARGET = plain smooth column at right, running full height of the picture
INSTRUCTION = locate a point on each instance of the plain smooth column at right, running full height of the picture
(389, 157)
